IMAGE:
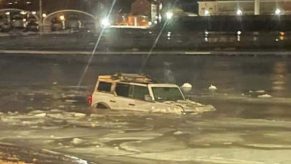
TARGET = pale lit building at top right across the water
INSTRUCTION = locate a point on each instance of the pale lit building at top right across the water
(244, 7)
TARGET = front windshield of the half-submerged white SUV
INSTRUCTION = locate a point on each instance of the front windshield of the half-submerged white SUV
(167, 94)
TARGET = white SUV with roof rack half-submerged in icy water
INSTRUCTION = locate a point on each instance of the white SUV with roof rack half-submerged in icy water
(139, 93)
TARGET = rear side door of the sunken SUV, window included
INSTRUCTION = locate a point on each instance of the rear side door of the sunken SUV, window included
(123, 99)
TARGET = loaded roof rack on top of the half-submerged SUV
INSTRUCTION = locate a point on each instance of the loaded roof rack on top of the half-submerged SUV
(127, 77)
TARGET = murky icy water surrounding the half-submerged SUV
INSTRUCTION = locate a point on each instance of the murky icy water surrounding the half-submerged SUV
(42, 109)
